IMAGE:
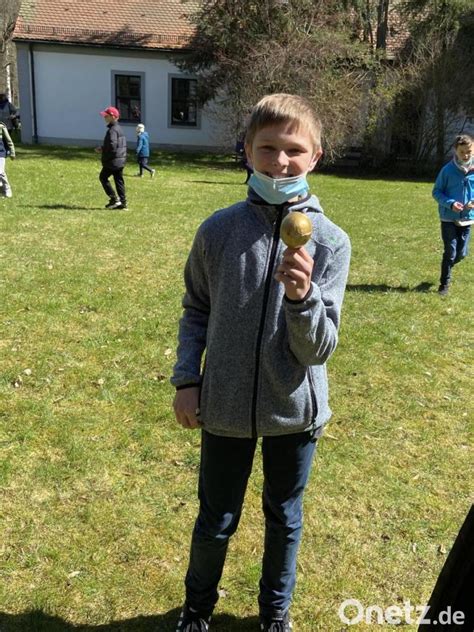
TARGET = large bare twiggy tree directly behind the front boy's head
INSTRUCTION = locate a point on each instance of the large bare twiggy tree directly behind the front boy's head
(243, 50)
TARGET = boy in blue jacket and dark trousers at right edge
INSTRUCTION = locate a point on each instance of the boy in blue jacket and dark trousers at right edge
(454, 192)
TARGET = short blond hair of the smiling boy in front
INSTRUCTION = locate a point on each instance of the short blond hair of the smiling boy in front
(275, 109)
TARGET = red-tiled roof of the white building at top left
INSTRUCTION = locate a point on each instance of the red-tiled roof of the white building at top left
(149, 24)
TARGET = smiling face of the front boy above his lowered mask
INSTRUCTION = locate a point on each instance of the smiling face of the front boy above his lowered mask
(282, 151)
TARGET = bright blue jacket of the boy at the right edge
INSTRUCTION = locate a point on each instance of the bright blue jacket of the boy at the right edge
(454, 185)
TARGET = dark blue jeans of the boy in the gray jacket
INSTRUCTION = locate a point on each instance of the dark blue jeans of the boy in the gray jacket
(226, 464)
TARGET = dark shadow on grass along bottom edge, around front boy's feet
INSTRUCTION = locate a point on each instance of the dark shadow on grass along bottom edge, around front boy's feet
(38, 621)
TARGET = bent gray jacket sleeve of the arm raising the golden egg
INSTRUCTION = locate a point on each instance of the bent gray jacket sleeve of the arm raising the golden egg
(313, 323)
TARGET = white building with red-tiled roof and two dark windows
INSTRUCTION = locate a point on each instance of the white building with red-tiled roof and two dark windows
(76, 57)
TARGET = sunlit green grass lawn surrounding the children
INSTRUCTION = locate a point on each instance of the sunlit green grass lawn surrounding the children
(98, 482)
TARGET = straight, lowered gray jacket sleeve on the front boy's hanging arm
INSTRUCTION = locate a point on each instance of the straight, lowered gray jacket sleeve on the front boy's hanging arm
(193, 324)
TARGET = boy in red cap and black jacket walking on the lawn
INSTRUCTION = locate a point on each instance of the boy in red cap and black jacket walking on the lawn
(114, 156)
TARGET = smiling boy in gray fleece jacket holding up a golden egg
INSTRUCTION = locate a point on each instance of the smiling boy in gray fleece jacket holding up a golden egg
(267, 317)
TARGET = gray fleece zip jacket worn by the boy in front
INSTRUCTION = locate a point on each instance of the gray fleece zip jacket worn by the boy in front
(264, 371)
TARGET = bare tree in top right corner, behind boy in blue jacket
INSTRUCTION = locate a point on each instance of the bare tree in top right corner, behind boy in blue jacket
(438, 78)
